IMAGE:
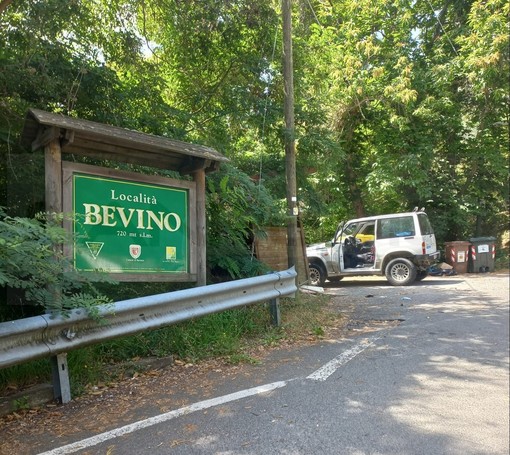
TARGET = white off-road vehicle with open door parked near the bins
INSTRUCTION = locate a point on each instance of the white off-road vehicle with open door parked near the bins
(400, 246)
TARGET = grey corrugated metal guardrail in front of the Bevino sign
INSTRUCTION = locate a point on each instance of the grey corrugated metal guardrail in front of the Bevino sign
(46, 336)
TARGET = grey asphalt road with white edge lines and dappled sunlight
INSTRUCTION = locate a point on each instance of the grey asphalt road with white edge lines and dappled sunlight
(420, 370)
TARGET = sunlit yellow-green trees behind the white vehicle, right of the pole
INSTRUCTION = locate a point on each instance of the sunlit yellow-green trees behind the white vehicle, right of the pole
(418, 97)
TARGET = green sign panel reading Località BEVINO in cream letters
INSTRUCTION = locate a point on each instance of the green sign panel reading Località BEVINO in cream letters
(124, 226)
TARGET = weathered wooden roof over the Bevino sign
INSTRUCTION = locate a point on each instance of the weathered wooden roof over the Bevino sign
(97, 140)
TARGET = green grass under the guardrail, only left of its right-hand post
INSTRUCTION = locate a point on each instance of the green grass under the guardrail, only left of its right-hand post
(218, 335)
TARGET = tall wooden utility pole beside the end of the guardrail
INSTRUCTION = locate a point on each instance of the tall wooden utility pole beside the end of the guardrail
(290, 146)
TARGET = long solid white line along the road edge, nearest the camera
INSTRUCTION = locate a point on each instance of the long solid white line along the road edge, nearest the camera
(95, 440)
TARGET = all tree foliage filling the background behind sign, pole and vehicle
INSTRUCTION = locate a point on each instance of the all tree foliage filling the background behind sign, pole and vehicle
(397, 104)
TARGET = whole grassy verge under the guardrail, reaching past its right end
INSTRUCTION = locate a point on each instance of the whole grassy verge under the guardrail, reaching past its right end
(233, 336)
